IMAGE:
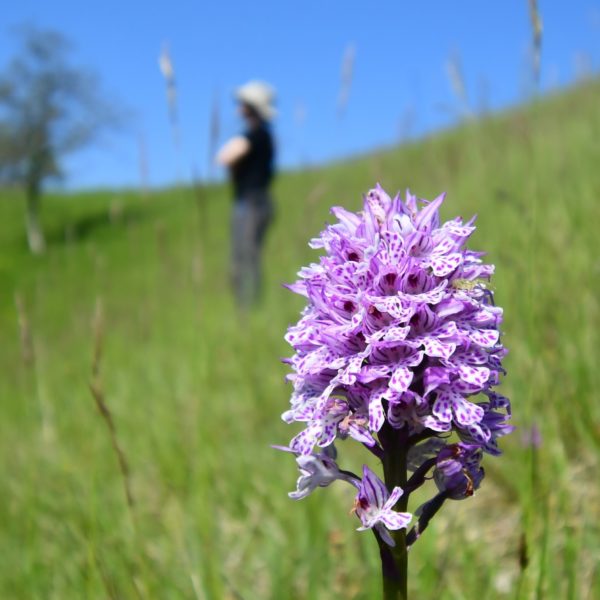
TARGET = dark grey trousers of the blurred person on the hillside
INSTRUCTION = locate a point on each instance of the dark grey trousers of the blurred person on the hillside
(251, 217)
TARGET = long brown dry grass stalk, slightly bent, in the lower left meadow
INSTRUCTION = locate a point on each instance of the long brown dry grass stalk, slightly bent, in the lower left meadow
(97, 390)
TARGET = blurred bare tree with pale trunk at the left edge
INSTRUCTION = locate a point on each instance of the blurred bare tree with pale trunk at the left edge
(48, 109)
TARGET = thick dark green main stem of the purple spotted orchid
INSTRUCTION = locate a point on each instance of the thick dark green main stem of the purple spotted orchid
(394, 561)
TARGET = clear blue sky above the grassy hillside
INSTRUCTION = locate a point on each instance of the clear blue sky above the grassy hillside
(400, 85)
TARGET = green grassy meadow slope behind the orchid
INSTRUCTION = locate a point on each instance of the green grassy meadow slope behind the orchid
(196, 389)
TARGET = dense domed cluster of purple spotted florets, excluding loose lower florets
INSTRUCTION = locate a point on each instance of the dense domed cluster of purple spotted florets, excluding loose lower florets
(399, 326)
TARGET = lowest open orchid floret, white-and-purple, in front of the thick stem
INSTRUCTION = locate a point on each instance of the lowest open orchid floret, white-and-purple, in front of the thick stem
(374, 506)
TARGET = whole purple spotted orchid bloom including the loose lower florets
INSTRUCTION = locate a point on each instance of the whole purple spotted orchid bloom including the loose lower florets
(398, 347)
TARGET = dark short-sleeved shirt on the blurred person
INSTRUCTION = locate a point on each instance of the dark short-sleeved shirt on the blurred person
(254, 171)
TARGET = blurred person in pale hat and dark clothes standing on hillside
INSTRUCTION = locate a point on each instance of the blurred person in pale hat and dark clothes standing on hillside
(250, 158)
